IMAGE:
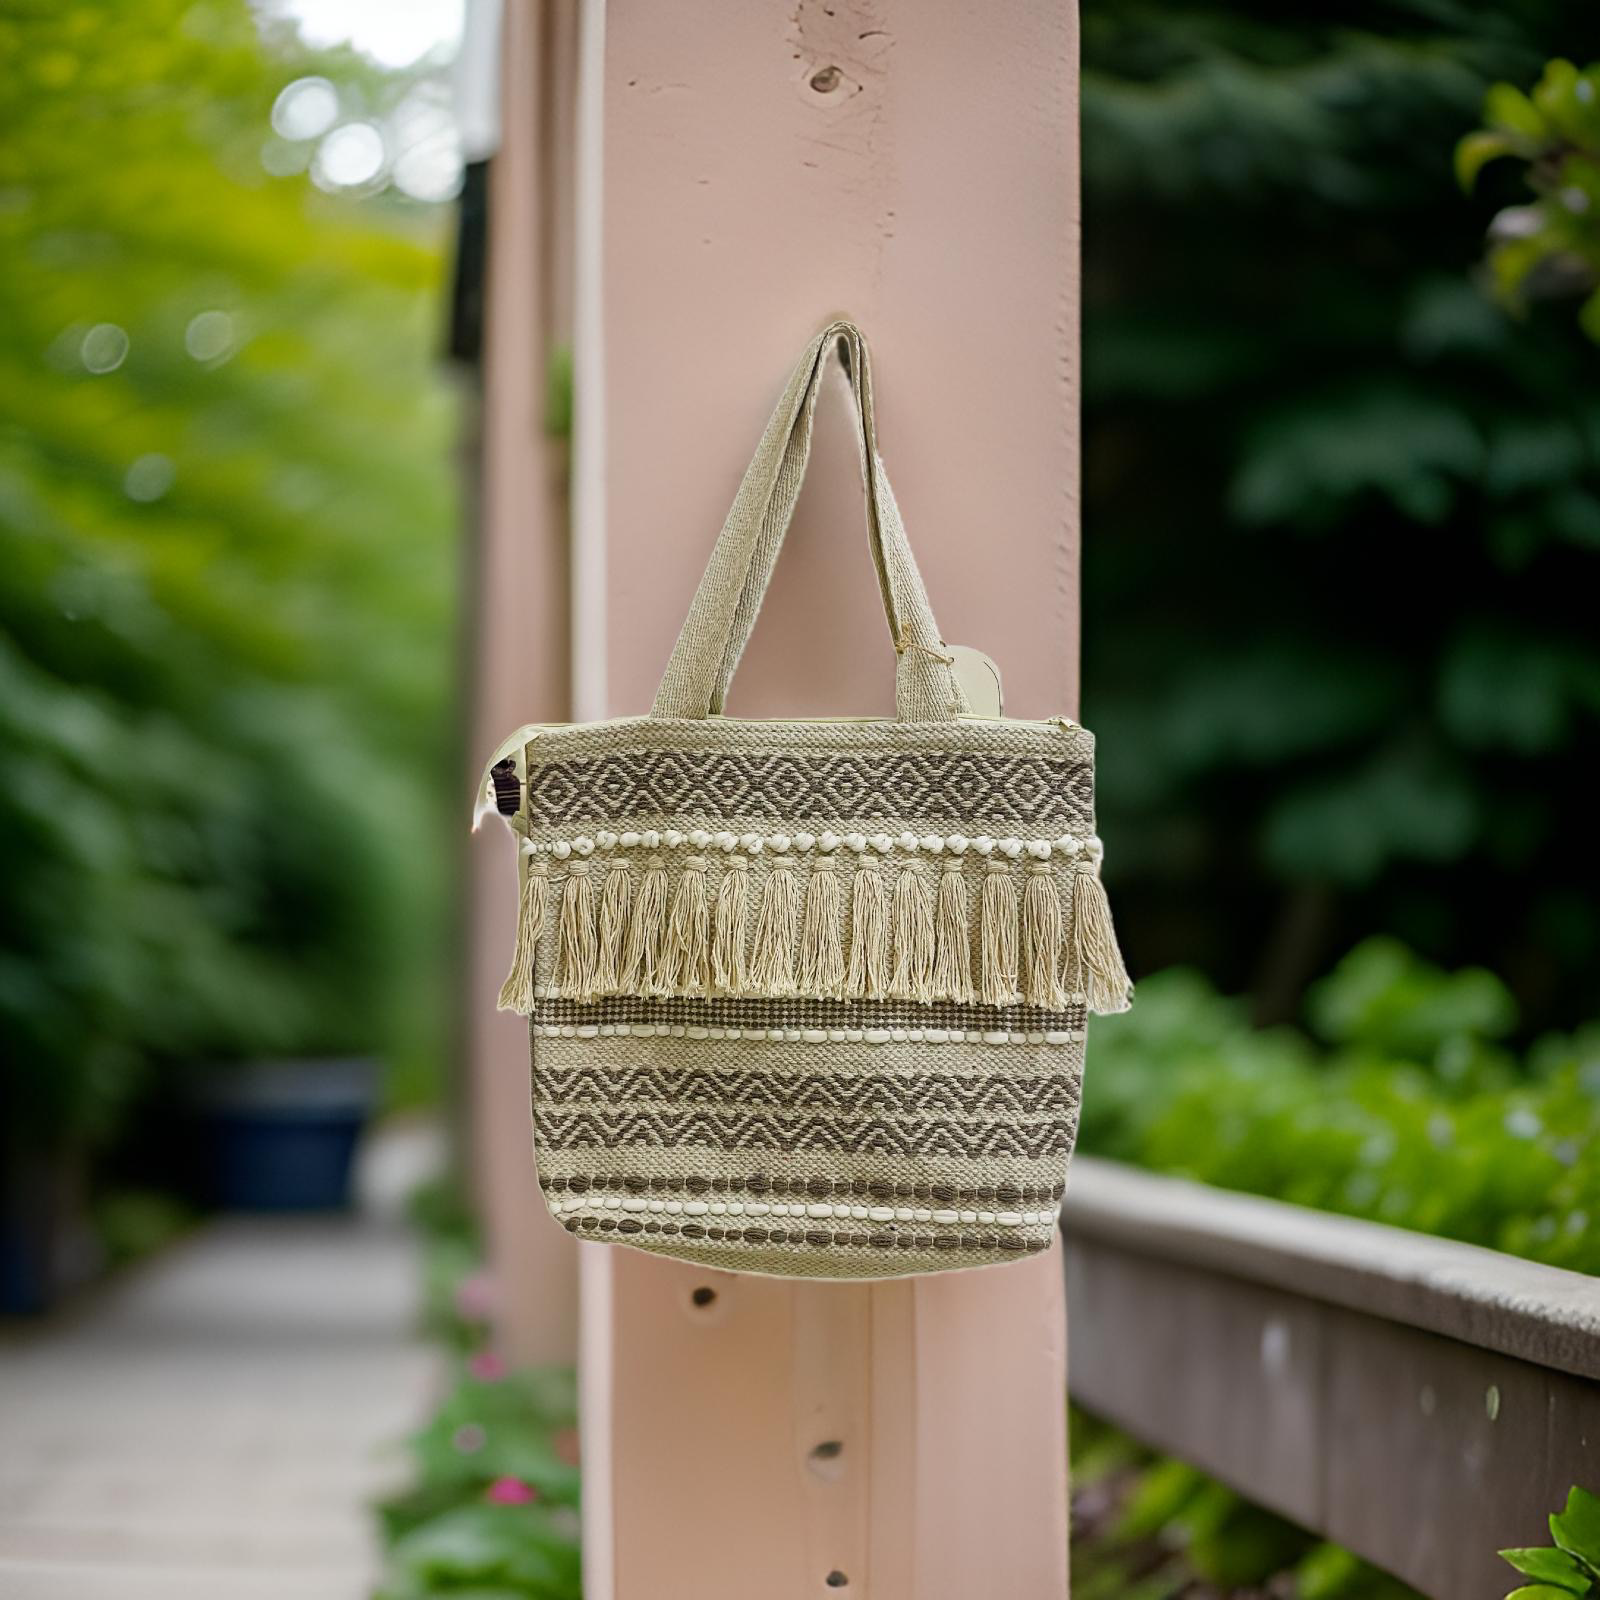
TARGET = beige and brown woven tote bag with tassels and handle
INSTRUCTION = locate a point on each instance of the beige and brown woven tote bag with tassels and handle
(807, 998)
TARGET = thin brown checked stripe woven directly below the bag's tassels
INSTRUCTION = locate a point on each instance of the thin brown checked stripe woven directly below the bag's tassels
(828, 1015)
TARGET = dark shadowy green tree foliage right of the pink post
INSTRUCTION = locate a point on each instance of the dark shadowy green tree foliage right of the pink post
(1343, 530)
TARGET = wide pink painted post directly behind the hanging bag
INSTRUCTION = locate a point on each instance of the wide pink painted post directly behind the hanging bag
(746, 172)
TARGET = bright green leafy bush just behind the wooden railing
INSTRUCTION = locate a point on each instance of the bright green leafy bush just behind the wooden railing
(1401, 1105)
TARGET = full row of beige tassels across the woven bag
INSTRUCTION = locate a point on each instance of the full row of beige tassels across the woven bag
(1041, 940)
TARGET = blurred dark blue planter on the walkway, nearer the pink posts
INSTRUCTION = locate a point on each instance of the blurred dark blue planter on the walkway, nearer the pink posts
(282, 1135)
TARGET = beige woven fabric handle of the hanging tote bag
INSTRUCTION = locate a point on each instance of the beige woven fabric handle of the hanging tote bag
(742, 564)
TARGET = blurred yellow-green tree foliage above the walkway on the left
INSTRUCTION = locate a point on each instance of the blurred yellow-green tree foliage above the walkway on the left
(226, 586)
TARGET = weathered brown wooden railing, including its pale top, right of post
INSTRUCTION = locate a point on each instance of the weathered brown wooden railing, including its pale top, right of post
(1418, 1401)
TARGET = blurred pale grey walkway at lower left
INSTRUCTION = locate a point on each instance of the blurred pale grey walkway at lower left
(217, 1423)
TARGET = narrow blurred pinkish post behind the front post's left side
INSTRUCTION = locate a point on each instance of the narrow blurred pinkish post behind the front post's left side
(519, 647)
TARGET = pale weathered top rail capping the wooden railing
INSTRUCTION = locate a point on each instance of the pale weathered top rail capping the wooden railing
(1479, 1297)
